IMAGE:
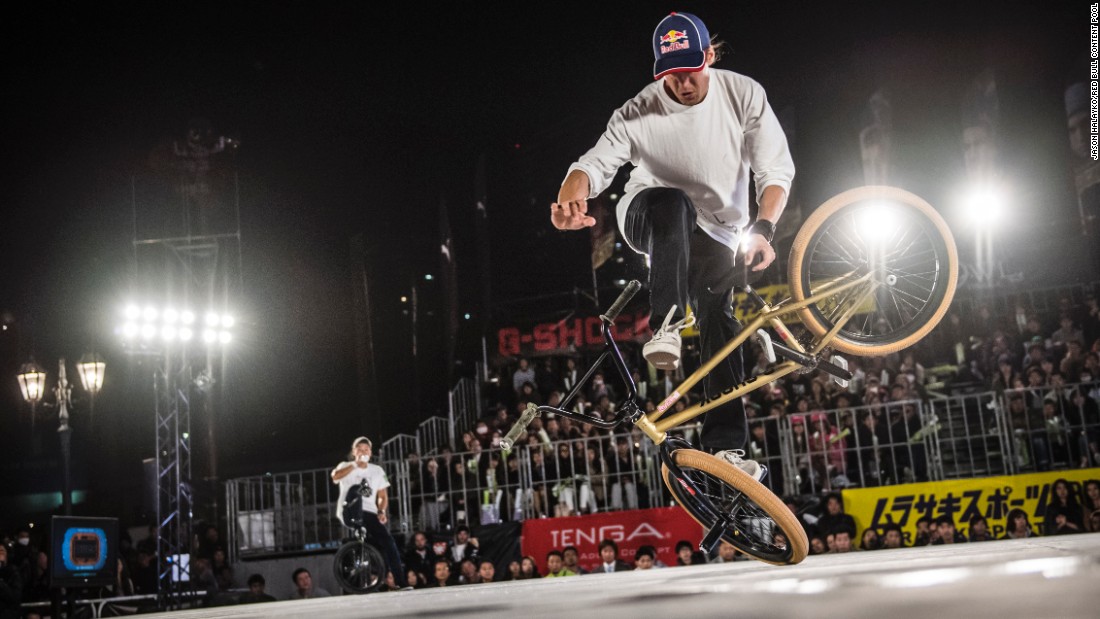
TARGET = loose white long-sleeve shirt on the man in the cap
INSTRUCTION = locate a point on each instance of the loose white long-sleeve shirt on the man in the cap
(709, 151)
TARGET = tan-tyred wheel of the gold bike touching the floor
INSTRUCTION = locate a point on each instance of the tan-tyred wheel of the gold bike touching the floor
(754, 523)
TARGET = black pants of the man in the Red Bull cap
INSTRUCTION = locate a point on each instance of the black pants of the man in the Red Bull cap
(688, 267)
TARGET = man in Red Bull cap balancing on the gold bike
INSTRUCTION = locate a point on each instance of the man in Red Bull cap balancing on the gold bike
(695, 137)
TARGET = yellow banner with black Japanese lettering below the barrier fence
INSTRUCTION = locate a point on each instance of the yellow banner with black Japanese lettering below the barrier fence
(962, 500)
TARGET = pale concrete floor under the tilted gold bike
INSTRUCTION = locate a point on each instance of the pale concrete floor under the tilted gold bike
(1042, 578)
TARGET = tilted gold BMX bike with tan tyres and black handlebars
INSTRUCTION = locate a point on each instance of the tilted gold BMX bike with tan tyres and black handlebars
(872, 272)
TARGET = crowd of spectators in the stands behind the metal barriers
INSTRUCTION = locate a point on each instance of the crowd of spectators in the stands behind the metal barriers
(864, 434)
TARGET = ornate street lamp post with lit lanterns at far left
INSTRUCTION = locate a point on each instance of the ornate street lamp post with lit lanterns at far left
(32, 384)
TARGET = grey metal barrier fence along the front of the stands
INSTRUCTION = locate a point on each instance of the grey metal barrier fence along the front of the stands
(976, 435)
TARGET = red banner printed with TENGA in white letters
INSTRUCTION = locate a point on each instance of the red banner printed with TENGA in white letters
(661, 528)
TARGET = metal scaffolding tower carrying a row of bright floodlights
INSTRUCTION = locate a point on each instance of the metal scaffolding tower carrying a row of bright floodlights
(188, 258)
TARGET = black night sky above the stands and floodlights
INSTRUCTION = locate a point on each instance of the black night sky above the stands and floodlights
(355, 121)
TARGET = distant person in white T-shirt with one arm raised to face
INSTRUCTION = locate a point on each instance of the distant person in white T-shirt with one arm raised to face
(348, 476)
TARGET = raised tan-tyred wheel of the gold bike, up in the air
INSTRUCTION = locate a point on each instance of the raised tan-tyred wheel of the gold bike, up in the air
(894, 234)
